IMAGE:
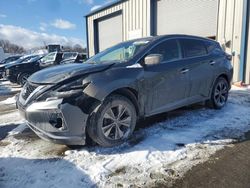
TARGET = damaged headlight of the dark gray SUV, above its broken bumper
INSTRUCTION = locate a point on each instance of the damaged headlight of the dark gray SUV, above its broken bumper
(74, 88)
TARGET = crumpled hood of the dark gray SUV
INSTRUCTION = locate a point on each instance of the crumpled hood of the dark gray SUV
(56, 74)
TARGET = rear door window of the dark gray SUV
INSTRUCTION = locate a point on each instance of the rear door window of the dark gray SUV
(193, 48)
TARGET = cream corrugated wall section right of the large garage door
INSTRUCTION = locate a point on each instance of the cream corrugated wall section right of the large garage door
(230, 29)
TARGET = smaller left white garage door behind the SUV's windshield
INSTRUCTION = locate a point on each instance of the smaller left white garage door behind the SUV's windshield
(109, 32)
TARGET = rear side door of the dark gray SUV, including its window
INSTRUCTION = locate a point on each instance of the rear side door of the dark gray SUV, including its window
(200, 67)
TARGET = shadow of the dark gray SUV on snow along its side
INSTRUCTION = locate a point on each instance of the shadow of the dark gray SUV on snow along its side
(188, 125)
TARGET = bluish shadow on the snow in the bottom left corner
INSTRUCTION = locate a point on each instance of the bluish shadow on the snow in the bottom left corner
(51, 172)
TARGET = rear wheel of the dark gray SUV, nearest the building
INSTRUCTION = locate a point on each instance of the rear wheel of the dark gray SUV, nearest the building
(219, 94)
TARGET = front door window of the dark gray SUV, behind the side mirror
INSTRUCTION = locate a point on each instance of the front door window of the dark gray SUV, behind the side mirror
(169, 50)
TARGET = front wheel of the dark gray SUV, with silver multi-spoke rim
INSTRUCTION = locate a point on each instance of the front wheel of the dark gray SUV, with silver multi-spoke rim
(112, 122)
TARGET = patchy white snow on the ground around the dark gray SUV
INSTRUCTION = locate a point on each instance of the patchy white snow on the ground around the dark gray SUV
(162, 149)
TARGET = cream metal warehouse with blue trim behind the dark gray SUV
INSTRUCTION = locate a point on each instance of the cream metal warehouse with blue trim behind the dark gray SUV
(225, 20)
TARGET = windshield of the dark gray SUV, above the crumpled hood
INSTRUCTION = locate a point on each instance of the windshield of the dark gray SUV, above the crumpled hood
(119, 53)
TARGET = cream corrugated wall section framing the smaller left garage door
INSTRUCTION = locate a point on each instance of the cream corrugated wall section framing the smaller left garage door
(136, 20)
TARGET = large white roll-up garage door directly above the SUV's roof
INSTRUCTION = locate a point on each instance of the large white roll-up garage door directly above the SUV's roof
(194, 17)
